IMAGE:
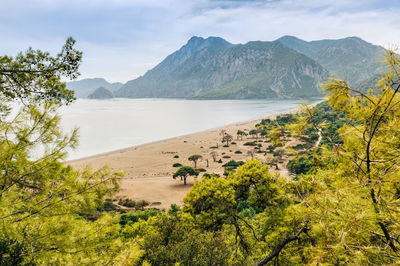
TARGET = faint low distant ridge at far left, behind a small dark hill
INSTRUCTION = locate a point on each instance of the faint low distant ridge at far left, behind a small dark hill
(84, 87)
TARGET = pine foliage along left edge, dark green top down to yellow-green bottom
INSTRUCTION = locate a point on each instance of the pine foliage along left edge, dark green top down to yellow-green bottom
(42, 200)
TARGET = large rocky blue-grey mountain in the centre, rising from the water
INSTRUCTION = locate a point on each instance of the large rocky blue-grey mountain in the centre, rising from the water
(214, 68)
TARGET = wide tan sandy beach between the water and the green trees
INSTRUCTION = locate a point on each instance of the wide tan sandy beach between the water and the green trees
(148, 168)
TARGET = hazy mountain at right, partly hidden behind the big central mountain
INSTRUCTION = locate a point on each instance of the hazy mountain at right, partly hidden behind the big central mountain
(351, 59)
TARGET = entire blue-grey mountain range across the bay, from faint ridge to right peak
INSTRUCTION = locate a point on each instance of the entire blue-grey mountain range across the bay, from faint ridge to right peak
(213, 68)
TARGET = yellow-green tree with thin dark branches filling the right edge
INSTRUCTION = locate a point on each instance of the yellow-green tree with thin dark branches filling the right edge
(354, 199)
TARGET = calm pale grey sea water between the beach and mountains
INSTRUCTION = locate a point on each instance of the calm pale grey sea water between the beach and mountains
(107, 125)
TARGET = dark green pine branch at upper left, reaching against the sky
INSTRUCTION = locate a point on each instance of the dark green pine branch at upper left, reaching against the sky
(37, 76)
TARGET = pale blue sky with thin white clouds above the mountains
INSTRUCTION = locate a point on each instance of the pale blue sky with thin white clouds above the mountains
(122, 39)
